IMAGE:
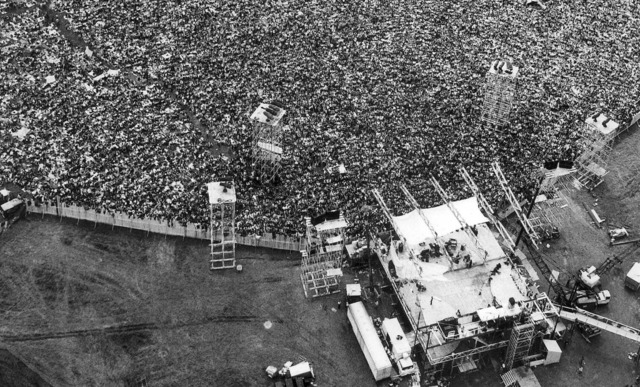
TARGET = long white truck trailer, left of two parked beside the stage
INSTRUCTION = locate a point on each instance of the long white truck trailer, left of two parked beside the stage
(369, 341)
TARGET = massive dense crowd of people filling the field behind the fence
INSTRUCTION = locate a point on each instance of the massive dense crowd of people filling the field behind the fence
(393, 90)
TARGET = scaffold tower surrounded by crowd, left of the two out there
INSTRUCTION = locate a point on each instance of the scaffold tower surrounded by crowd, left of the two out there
(266, 147)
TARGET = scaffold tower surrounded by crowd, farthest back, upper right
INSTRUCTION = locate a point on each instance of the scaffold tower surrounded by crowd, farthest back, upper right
(499, 92)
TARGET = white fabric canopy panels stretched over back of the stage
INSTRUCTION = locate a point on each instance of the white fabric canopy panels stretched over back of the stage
(415, 231)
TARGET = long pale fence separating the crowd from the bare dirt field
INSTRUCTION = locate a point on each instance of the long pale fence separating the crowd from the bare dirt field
(191, 230)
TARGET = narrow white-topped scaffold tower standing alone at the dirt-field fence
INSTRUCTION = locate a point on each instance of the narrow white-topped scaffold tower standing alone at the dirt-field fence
(222, 207)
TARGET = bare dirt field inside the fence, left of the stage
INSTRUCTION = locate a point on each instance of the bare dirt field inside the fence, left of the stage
(103, 307)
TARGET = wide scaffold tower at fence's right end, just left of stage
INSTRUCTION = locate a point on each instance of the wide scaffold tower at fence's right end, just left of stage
(322, 257)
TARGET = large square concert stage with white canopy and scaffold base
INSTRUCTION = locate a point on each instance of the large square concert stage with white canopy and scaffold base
(446, 305)
